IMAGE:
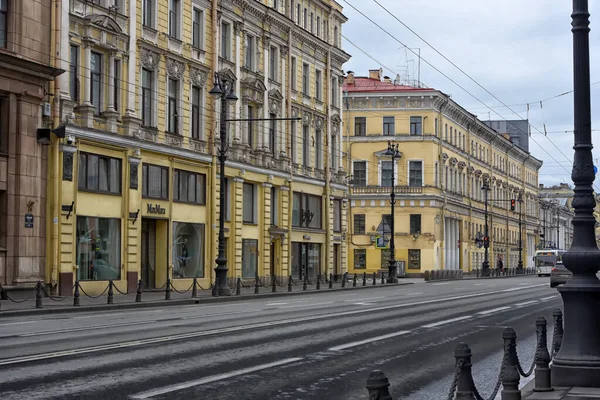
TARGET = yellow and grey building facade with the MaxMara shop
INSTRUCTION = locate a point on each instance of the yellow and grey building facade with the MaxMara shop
(134, 188)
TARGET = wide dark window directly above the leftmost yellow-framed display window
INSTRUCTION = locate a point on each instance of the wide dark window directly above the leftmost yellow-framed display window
(99, 173)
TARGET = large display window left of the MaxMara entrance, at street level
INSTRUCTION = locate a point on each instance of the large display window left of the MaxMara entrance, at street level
(98, 248)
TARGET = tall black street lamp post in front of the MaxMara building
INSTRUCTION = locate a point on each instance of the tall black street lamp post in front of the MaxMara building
(224, 91)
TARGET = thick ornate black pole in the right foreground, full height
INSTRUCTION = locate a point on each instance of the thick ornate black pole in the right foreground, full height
(578, 361)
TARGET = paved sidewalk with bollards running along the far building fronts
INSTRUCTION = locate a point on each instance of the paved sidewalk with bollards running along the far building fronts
(24, 302)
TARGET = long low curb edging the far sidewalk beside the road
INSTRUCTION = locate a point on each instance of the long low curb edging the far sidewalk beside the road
(188, 301)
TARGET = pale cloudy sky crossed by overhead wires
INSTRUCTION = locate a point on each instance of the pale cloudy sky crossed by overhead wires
(520, 51)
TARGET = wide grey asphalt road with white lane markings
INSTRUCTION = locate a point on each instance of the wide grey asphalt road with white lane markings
(316, 346)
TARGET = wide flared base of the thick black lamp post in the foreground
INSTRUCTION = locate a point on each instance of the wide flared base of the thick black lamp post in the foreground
(578, 361)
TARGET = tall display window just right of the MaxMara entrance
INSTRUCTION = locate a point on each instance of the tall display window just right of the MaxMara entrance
(188, 250)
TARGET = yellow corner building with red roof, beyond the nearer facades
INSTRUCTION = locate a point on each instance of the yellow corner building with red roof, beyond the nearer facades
(446, 155)
